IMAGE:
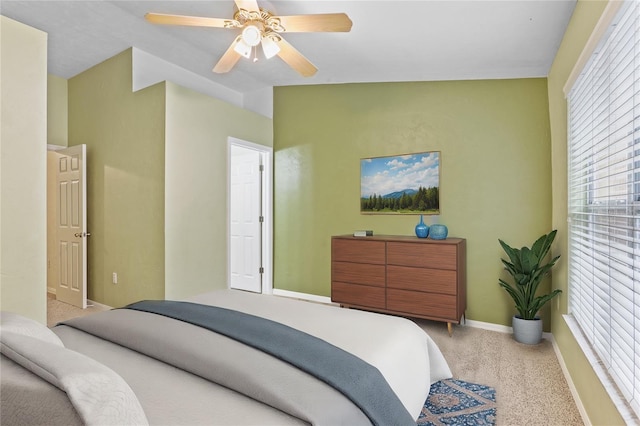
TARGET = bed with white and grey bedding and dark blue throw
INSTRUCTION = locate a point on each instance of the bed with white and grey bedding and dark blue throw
(146, 364)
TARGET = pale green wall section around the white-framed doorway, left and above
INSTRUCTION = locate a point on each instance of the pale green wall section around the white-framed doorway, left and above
(196, 186)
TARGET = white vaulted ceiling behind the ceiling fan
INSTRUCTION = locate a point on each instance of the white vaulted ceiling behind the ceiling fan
(389, 41)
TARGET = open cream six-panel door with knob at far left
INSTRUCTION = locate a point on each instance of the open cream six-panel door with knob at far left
(71, 195)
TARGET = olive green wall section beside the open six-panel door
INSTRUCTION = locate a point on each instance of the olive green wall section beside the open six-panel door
(124, 133)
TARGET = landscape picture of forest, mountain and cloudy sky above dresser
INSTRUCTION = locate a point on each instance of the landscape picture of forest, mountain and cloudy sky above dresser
(401, 184)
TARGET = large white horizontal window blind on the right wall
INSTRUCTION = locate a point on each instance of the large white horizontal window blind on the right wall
(604, 201)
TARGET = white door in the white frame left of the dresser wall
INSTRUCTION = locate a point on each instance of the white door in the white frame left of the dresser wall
(245, 219)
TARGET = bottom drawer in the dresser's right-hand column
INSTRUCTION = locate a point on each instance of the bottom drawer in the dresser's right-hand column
(441, 306)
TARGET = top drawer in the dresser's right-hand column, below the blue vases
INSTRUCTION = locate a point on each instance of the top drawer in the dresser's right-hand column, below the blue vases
(438, 256)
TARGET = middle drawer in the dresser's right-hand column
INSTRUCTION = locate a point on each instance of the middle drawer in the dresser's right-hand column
(422, 279)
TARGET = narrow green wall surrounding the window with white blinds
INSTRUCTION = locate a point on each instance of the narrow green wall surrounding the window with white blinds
(597, 403)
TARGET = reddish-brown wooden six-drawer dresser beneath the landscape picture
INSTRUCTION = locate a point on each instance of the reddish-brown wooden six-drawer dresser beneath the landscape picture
(401, 275)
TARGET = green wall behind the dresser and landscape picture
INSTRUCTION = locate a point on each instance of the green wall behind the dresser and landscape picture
(495, 172)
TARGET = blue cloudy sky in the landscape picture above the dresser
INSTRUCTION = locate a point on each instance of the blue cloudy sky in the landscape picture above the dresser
(387, 175)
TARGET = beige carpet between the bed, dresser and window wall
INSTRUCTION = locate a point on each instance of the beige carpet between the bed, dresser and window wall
(529, 383)
